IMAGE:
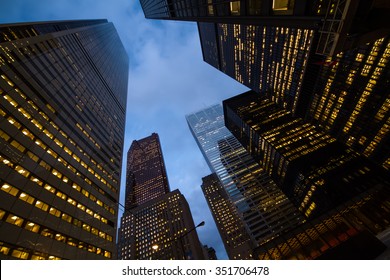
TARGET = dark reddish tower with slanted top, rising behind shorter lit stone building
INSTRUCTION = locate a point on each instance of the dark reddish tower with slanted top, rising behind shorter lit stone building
(146, 177)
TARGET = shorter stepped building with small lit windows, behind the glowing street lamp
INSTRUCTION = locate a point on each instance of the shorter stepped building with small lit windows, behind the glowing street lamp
(161, 228)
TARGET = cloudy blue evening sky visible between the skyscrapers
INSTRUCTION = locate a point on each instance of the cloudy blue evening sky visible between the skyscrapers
(167, 80)
